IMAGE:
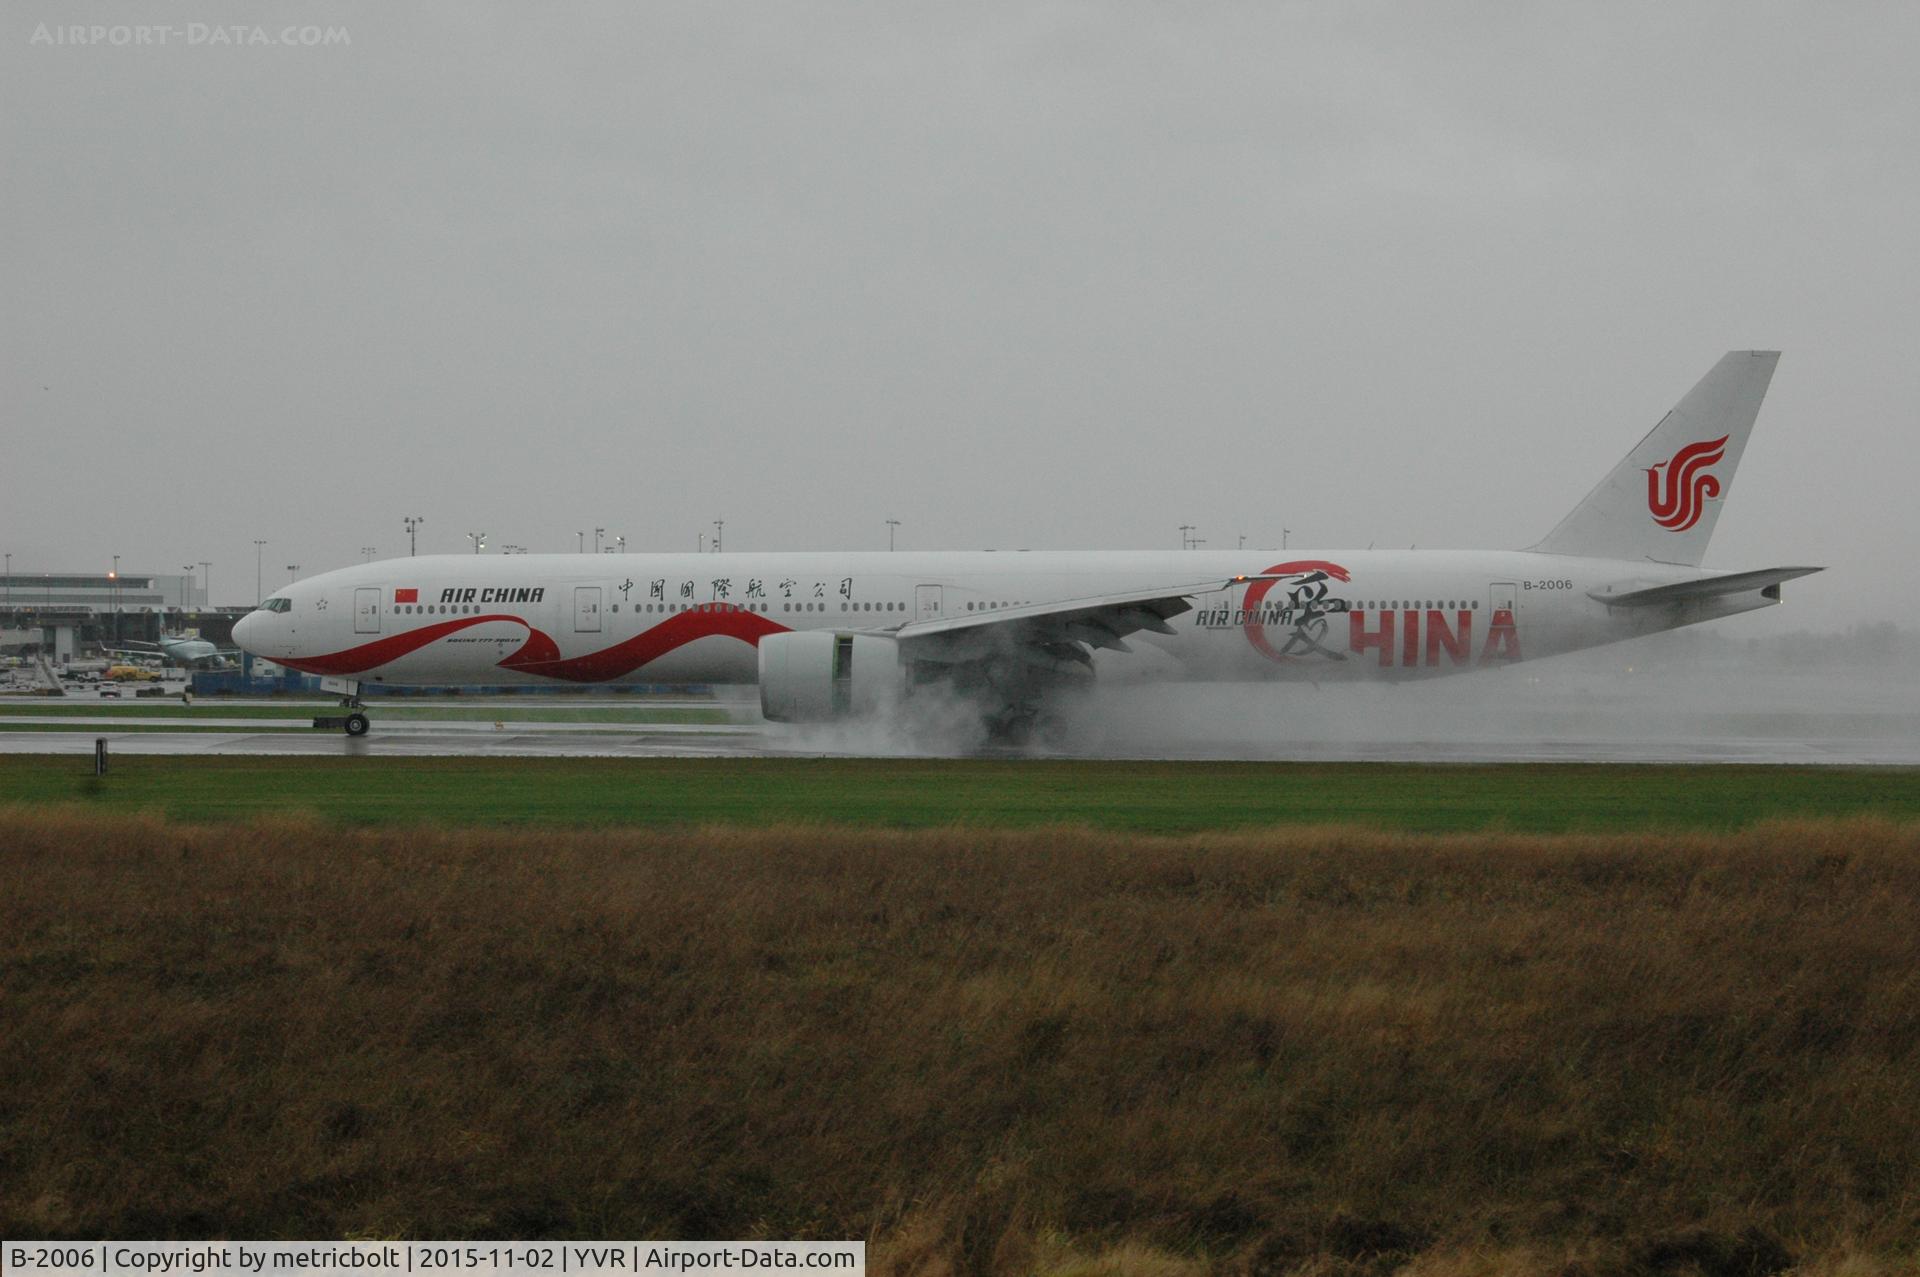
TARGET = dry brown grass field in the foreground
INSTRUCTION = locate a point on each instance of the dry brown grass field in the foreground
(1051, 1051)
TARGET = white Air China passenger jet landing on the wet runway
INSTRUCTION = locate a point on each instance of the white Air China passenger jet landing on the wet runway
(842, 635)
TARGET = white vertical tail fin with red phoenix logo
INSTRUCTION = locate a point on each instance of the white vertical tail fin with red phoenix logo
(1664, 500)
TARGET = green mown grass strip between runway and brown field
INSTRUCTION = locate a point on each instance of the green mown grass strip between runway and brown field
(1172, 798)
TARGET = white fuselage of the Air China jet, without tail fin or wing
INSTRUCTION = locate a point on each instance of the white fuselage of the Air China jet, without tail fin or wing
(585, 619)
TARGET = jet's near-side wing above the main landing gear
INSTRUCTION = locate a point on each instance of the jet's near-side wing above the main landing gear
(1053, 633)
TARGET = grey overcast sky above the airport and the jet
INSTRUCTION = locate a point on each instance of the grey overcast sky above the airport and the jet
(1042, 276)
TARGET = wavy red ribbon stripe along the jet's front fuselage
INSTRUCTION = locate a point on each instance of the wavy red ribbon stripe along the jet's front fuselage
(542, 656)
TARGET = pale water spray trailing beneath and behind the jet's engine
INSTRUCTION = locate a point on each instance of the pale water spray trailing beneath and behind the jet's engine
(1687, 696)
